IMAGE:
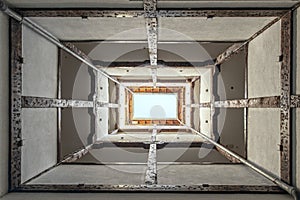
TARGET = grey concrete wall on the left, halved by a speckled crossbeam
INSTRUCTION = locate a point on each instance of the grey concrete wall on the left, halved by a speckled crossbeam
(39, 125)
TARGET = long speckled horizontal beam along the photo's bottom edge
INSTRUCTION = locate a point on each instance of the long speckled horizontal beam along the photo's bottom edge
(148, 188)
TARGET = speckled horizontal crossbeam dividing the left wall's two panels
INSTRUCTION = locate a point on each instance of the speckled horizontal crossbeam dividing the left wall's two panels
(43, 102)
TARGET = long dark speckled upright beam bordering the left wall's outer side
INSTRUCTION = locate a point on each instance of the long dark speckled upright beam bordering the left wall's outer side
(16, 108)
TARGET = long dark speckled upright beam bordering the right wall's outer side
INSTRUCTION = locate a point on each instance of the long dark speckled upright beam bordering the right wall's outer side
(285, 70)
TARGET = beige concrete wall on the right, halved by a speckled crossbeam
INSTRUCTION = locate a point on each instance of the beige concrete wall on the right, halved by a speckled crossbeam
(264, 80)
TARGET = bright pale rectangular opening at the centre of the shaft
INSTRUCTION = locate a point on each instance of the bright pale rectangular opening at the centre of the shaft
(154, 106)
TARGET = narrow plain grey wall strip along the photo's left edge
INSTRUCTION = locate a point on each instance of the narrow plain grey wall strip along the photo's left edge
(4, 106)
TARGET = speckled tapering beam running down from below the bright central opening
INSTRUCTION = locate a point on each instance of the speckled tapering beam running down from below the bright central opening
(151, 173)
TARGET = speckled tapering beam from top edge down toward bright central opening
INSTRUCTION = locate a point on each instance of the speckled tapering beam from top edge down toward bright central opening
(152, 32)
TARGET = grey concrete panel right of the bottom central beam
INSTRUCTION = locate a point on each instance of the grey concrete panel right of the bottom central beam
(210, 174)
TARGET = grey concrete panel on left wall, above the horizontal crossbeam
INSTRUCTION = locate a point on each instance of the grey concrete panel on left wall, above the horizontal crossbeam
(40, 65)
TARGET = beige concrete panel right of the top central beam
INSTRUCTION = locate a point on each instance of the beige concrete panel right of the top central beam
(203, 29)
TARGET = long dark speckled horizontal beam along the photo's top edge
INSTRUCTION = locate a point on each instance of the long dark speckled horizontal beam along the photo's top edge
(141, 13)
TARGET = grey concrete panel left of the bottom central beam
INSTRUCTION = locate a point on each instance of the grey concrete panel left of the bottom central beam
(94, 174)
